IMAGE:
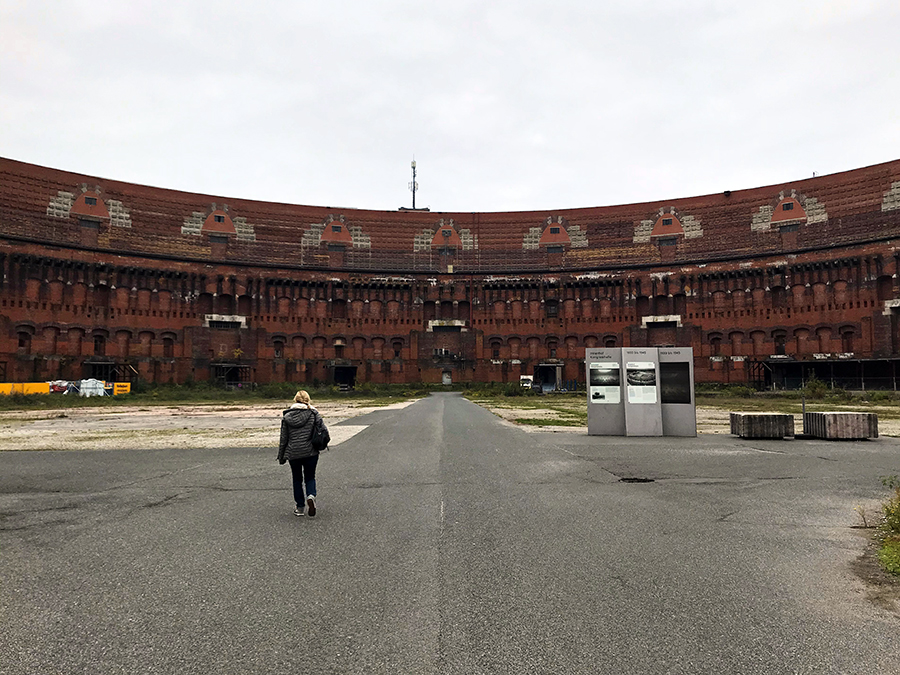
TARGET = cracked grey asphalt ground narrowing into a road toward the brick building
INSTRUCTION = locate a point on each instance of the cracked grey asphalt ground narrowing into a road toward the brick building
(446, 542)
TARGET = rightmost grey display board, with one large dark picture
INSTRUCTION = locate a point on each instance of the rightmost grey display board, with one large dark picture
(676, 391)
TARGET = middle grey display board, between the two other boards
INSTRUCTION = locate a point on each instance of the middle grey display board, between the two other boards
(643, 410)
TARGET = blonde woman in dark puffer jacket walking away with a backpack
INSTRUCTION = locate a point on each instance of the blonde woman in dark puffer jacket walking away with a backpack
(296, 447)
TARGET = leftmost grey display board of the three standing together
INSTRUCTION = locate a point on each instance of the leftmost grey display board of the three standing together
(605, 392)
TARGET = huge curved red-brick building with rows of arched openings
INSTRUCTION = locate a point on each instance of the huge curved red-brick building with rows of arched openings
(770, 285)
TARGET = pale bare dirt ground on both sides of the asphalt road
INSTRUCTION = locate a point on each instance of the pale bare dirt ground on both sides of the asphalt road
(209, 426)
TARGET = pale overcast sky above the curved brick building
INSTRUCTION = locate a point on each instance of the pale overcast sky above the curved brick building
(514, 105)
